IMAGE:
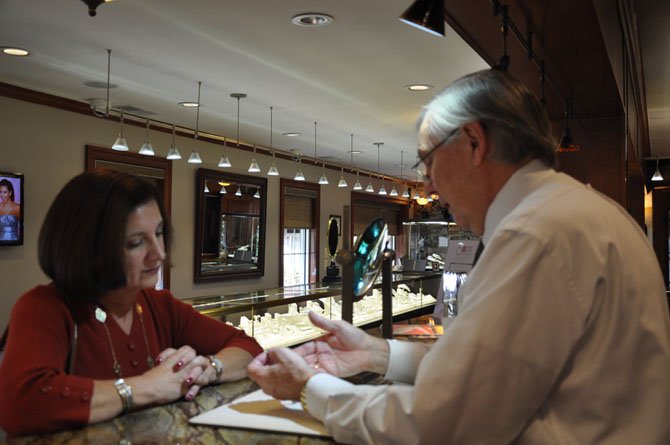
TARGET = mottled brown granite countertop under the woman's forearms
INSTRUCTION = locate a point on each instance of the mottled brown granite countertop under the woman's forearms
(168, 424)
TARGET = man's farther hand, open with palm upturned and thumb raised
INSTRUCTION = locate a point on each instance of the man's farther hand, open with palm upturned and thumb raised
(346, 350)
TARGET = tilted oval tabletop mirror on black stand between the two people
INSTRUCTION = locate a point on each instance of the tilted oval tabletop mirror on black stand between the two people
(368, 254)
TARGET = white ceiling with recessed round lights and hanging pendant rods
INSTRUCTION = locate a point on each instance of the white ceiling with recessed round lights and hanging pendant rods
(349, 76)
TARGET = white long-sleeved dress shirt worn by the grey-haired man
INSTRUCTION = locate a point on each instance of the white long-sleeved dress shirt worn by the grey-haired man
(562, 336)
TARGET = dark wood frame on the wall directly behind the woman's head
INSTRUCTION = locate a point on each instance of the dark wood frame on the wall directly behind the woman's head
(93, 154)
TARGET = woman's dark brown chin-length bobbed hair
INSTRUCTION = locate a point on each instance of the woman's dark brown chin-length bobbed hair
(81, 241)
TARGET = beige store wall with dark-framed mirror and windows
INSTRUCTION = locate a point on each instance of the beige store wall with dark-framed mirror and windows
(47, 145)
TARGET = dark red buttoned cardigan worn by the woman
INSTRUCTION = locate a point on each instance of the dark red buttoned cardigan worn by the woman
(36, 395)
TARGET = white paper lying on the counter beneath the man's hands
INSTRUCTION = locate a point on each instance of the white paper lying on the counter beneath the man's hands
(259, 411)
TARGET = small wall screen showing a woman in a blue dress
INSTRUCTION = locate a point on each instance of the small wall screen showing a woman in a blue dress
(12, 201)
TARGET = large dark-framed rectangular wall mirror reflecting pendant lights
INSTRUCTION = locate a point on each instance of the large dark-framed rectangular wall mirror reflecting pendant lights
(229, 226)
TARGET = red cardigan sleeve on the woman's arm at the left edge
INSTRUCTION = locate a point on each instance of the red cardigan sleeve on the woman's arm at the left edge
(37, 395)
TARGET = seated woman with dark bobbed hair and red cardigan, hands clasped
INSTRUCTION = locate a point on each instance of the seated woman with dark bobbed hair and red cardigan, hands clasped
(99, 340)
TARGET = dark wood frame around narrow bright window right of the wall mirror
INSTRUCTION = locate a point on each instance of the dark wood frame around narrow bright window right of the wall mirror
(313, 254)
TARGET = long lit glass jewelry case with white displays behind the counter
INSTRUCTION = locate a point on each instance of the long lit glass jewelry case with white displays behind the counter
(278, 317)
